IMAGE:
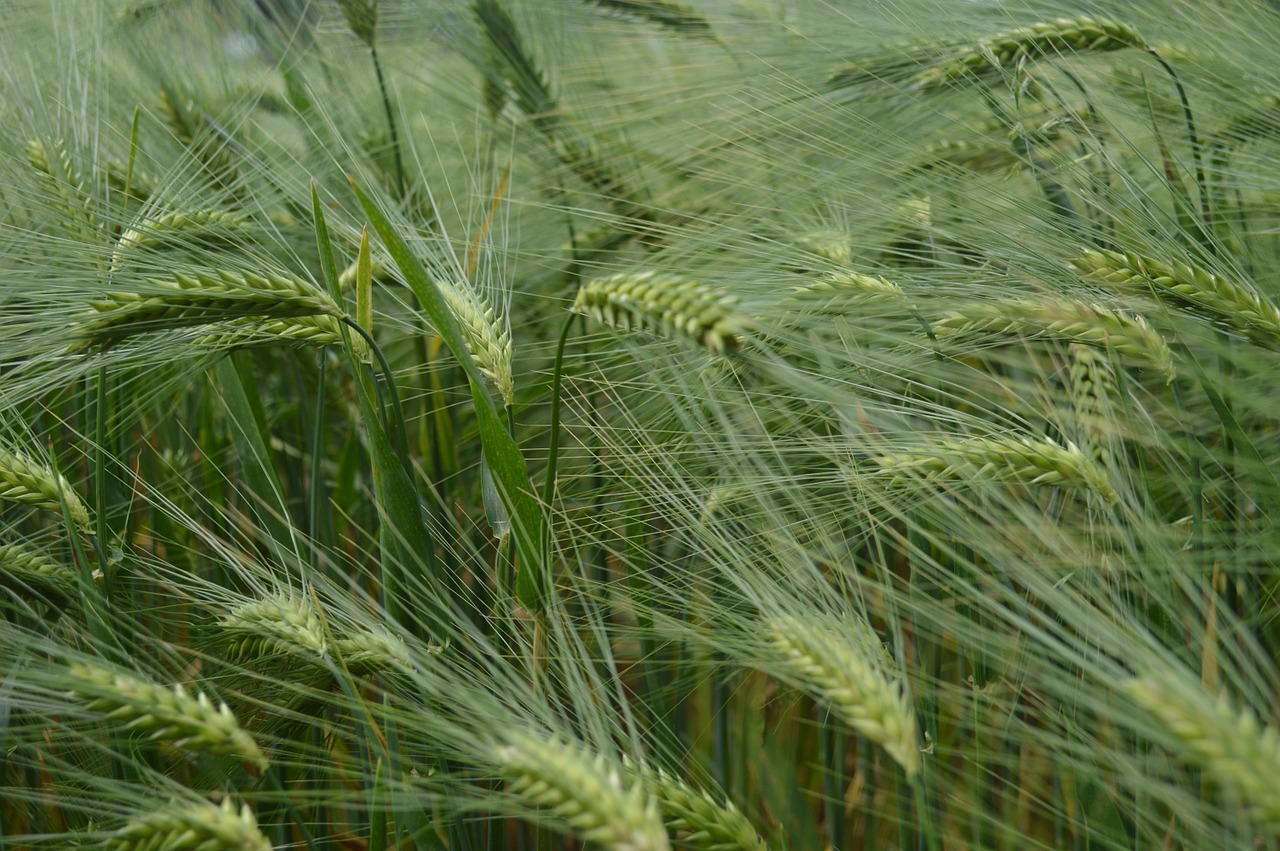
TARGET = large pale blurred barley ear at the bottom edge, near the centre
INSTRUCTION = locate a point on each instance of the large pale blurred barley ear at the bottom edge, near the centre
(583, 790)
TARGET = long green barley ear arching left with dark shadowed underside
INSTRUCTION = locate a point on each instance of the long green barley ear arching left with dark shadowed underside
(200, 299)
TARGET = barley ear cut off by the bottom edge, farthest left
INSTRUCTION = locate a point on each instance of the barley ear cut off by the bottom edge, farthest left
(193, 827)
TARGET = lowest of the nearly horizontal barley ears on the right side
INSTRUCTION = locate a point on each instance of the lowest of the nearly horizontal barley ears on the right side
(999, 459)
